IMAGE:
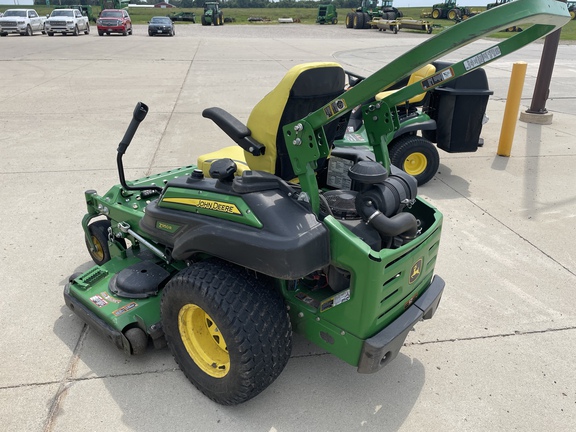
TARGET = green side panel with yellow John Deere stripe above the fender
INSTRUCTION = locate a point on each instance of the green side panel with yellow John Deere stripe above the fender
(226, 207)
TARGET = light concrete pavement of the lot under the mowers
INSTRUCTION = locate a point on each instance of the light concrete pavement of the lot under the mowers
(499, 354)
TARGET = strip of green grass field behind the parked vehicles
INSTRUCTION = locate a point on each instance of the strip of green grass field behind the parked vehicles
(302, 15)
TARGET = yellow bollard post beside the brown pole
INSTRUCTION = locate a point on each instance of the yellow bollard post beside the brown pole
(512, 108)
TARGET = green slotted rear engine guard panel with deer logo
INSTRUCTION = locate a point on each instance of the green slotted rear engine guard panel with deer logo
(382, 287)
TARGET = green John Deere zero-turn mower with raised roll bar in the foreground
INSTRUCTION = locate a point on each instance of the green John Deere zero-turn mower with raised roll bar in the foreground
(280, 233)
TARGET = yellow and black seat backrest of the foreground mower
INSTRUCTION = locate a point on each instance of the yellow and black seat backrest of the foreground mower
(304, 89)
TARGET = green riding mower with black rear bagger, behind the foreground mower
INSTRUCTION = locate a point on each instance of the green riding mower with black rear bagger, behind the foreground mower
(450, 115)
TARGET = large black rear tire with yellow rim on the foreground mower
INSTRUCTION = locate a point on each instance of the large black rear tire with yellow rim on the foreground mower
(229, 331)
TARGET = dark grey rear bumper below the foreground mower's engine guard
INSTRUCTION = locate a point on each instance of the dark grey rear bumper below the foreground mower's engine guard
(382, 348)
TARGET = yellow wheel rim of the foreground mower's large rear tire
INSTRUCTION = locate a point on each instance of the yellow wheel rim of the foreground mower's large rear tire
(203, 341)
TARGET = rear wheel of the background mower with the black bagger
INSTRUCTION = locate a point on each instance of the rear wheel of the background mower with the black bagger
(416, 156)
